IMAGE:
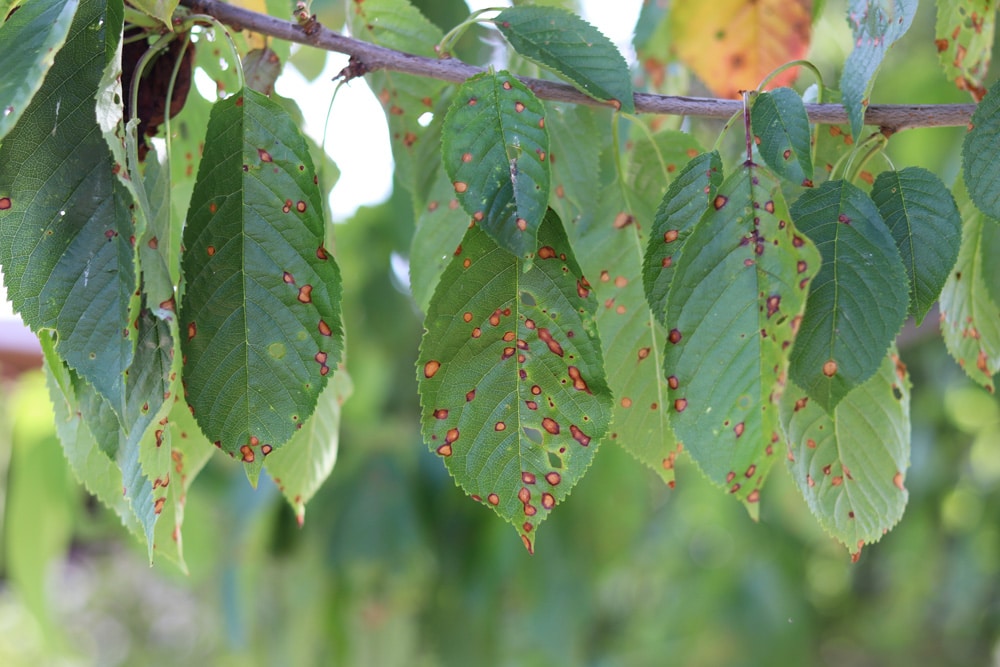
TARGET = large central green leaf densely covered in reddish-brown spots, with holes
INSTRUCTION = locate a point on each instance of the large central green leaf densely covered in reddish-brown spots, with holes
(511, 376)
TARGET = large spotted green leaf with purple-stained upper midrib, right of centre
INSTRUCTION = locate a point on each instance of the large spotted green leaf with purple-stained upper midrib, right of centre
(733, 310)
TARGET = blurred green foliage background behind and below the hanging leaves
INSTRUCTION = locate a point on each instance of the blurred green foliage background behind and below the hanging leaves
(395, 567)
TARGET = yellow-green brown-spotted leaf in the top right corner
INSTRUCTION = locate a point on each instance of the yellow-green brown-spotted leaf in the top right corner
(964, 39)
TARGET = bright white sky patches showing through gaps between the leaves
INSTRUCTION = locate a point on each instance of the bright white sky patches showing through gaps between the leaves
(358, 140)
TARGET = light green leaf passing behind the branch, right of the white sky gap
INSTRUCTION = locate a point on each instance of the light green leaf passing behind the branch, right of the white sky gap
(397, 24)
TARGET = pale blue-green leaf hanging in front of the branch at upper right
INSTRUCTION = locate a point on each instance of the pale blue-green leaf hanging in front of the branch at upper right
(876, 25)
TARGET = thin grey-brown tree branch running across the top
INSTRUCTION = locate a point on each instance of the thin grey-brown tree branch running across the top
(370, 57)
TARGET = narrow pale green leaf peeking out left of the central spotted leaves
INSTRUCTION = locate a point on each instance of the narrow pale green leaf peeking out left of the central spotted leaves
(440, 228)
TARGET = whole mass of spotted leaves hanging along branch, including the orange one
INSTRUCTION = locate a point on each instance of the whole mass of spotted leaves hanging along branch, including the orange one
(579, 287)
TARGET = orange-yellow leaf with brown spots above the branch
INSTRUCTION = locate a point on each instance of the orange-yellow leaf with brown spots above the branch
(733, 44)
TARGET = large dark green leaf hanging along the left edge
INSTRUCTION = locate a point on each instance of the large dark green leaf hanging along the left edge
(65, 224)
